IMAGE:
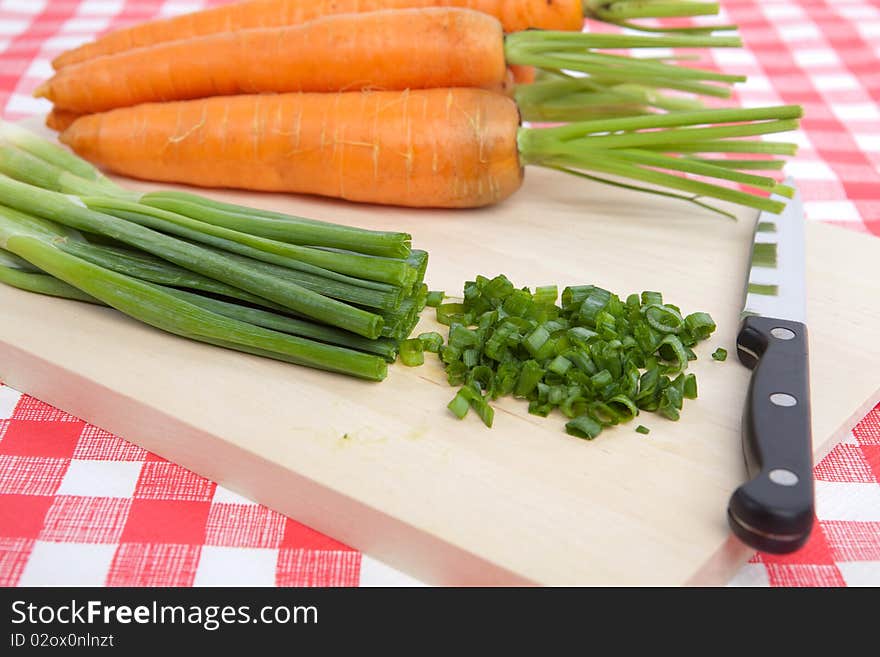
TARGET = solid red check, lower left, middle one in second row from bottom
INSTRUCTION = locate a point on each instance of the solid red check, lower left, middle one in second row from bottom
(166, 521)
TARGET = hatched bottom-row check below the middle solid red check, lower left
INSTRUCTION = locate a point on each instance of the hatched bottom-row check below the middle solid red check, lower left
(153, 564)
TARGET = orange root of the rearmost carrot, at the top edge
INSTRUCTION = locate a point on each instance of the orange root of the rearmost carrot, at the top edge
(515, 15)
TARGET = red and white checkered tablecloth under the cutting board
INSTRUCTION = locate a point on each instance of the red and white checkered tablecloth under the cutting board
(80, 506)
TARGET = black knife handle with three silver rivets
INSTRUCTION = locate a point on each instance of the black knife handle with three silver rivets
(774, 511)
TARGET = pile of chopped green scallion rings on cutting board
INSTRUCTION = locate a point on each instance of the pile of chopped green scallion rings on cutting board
(599, 359)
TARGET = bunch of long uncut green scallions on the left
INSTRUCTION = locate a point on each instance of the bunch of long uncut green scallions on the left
(314, 293)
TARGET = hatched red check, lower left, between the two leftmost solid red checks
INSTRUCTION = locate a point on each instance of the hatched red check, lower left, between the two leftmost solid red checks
(77, 519)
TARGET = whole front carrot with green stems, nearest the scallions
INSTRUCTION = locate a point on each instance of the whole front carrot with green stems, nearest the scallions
(423, 148)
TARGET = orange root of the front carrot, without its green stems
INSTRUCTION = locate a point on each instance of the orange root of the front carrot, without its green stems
(425, 148)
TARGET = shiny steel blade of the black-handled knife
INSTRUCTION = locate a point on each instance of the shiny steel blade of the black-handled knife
(775, 286)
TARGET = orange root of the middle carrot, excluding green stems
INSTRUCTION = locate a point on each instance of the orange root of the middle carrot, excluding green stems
(389, 50)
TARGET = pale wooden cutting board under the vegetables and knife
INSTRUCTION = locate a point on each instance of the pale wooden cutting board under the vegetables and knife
(385, 468)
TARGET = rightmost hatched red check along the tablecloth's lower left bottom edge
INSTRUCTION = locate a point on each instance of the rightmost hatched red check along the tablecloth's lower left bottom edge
(318, 568)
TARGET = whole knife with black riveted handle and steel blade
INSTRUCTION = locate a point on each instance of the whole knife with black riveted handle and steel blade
(773, 511)
